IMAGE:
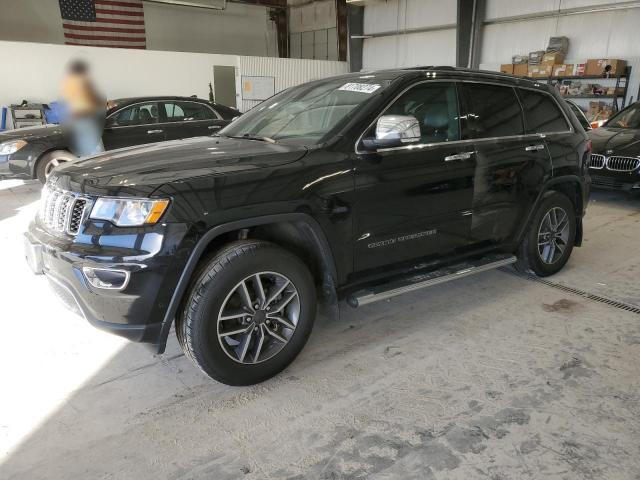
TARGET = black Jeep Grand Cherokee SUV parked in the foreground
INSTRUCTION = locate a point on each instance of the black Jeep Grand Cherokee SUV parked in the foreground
(361, 187)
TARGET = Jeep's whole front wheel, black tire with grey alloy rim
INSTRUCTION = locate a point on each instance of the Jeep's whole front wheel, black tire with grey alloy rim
(216, 307)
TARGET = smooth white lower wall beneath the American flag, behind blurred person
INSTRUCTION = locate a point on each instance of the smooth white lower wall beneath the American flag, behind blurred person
(37, 70)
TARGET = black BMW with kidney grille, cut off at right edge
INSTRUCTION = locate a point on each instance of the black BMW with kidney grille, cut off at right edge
(615, 158)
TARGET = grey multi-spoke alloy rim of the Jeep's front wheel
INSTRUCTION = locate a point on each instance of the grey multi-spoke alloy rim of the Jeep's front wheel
(258, 317)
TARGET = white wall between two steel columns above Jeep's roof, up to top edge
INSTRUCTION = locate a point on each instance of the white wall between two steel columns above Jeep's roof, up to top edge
(409, 49)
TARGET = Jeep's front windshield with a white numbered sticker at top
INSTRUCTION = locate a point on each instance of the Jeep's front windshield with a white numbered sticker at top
(307, 113)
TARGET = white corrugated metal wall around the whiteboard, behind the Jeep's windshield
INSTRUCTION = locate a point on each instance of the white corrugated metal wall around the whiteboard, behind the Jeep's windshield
(287, 72)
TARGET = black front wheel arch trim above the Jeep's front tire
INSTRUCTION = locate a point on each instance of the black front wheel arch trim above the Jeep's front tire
(297, 232)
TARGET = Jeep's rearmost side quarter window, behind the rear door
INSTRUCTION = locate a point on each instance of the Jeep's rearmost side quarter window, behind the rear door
(542, 114)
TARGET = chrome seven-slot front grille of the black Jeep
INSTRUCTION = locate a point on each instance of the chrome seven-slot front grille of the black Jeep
(62, 211)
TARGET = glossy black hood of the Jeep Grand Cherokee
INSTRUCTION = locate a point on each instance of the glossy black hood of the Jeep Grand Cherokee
(142, 168)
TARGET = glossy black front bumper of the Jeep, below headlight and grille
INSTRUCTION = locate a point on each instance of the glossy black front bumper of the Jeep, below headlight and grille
(137, 312)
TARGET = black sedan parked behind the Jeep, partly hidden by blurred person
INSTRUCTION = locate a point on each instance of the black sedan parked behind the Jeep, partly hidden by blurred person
(34, 152)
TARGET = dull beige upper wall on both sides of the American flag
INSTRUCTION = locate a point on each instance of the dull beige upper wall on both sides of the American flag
(240, 29)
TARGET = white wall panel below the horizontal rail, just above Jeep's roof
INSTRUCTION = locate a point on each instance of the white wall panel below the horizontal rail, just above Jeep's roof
(413, 49)
